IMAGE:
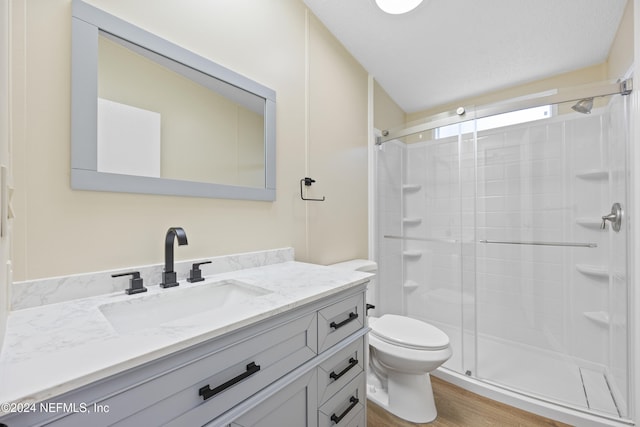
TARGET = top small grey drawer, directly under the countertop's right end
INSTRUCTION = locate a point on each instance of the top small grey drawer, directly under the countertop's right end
(339, 320)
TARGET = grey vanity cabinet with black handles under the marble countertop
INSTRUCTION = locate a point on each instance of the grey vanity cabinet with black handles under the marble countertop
(298, 368)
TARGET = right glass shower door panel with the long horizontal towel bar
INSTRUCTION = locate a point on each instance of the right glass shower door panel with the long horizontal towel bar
(550, 282)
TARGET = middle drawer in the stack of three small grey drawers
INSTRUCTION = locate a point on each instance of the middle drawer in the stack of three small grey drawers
(339, 369)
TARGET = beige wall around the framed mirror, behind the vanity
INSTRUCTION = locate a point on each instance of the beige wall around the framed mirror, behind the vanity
(321, 132)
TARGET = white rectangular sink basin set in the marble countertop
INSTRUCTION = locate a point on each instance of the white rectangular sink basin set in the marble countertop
(152, 310)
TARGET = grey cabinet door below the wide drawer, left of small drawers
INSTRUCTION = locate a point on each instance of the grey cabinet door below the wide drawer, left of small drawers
(293, 406)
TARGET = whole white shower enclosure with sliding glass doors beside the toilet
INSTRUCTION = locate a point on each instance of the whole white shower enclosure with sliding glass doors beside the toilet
(490, 227)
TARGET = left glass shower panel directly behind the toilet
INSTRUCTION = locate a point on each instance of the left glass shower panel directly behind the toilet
(422, 183)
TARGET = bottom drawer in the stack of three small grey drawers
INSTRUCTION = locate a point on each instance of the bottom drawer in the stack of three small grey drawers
(343, 407)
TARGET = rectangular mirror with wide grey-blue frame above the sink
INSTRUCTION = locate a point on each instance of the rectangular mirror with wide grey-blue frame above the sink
(148, 116)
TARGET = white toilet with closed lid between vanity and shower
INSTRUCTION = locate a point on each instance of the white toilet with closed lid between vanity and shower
(402, 352)
